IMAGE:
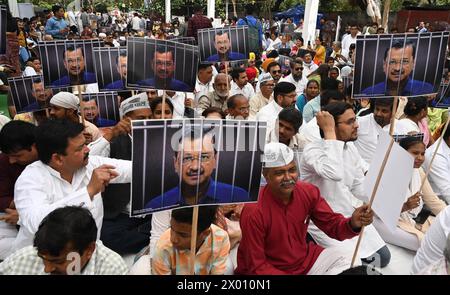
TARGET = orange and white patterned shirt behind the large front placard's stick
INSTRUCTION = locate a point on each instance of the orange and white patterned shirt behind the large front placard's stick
(210, 259)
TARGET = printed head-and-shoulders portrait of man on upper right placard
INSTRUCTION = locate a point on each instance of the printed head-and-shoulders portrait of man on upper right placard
(398, 65)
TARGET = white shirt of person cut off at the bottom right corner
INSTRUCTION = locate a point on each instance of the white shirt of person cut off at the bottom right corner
(433, 245)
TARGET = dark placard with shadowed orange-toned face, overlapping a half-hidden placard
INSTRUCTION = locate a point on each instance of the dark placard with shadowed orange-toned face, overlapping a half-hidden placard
(161, 64)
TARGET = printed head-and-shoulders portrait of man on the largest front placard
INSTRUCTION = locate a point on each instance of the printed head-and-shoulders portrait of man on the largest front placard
(195, 161)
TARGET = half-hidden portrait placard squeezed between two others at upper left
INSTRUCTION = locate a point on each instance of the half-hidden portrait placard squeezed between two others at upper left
(110, 67)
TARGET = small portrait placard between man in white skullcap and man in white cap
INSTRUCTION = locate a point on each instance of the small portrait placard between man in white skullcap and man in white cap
(101, 109)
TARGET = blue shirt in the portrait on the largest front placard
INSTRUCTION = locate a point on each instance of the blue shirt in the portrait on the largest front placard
(218, 193)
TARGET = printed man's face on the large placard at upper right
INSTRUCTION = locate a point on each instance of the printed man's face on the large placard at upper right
(399, 64)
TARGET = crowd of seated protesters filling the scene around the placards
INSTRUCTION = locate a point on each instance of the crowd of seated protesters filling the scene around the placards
(65, 172)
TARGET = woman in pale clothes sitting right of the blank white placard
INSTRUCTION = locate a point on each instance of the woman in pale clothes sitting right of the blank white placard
(408, 233)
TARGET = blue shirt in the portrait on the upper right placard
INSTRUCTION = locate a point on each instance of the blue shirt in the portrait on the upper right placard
(412, 87)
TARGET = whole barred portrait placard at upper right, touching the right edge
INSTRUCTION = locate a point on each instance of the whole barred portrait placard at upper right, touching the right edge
(399, 65)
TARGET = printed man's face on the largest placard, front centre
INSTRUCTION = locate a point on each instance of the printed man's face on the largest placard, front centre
(196, 160)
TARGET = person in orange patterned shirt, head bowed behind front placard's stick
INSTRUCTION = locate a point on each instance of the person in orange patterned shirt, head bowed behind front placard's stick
(172, 252)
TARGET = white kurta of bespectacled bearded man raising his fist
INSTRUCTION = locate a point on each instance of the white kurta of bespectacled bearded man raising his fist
(336, 169)
